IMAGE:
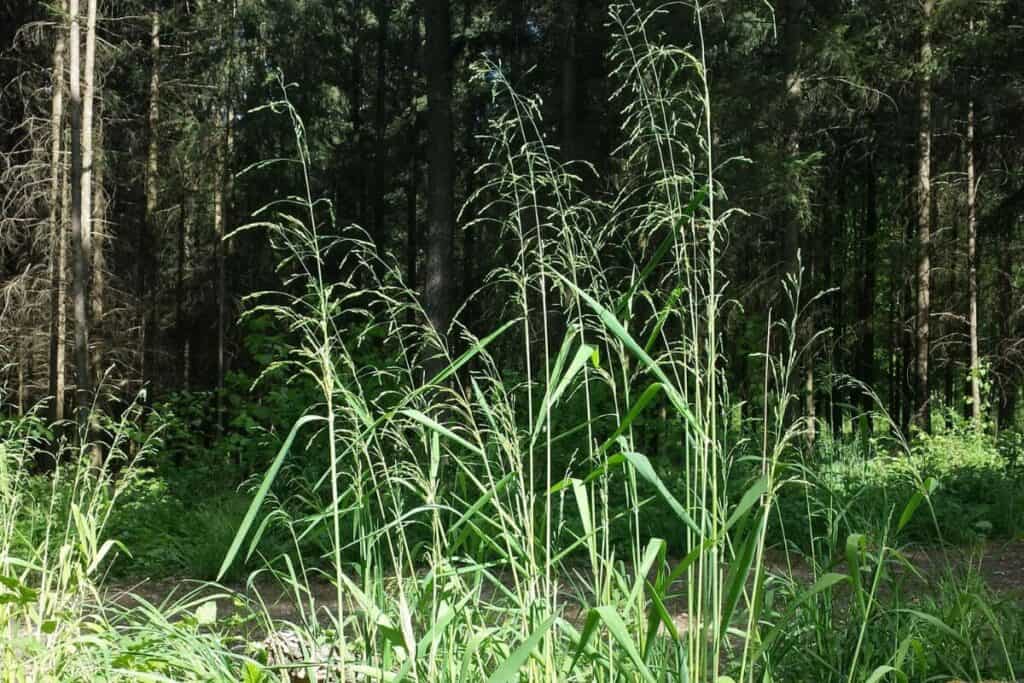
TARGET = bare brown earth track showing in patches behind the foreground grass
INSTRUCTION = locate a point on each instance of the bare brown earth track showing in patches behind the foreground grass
(1000, 563)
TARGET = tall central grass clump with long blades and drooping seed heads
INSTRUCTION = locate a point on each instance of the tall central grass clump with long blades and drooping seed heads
(481, 499)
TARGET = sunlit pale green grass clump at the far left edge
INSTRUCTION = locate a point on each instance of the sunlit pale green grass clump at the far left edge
(53, 548)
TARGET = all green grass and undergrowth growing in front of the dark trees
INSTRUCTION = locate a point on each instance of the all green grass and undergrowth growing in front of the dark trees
(571, 496)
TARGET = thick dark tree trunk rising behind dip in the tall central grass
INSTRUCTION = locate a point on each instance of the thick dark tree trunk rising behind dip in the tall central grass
(441, 163)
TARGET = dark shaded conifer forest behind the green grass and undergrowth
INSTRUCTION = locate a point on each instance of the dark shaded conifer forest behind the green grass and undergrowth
(881, 140)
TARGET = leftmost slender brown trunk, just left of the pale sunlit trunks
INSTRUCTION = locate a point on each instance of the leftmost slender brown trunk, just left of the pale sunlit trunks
(59, 255)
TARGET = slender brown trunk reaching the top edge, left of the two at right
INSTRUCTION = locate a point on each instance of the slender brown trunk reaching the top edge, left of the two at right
(922, 417)
